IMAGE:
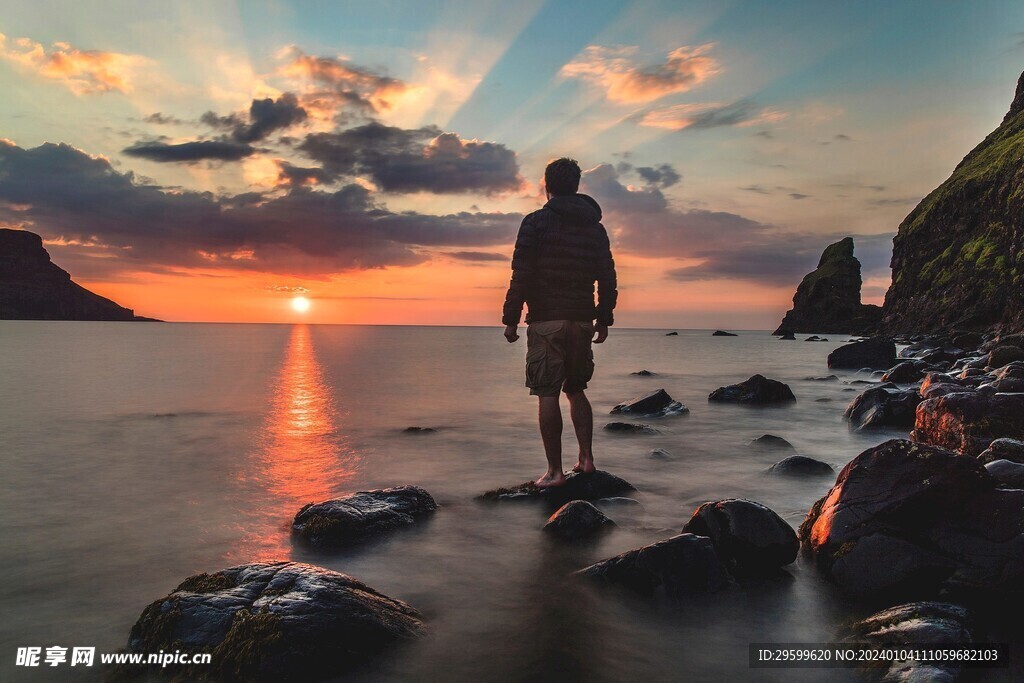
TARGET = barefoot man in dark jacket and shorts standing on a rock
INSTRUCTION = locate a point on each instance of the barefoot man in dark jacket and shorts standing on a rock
(562, 251)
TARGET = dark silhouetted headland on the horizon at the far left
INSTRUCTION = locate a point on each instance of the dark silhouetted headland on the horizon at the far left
(33, 288)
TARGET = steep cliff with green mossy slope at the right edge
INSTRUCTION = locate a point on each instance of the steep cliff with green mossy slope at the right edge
(959, 258)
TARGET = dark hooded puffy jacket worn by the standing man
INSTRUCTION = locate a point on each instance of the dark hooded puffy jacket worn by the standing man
(562, 251)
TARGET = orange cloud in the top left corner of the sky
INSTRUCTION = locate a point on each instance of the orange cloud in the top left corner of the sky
(82, 72)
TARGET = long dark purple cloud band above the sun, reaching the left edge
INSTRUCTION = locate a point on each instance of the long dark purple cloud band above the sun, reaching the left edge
(59, 191)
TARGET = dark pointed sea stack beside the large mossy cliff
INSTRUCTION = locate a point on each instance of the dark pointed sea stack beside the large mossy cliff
(829, 300)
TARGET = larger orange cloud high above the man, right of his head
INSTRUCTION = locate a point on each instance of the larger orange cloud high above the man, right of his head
(614, 70)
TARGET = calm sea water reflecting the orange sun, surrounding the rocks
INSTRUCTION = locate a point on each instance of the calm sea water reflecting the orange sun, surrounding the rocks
(136, 455)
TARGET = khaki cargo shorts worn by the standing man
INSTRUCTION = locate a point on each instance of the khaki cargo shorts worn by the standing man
(560, 357)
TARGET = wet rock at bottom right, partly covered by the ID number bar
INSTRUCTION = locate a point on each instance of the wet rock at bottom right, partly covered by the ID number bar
(912, 625)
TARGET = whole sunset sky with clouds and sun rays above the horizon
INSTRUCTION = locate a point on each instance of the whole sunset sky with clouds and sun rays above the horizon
(211, 161)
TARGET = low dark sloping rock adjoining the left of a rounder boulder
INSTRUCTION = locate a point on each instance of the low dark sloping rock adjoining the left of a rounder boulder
(675, 568)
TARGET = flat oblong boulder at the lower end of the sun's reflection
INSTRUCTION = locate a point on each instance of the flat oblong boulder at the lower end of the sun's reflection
(361, 517)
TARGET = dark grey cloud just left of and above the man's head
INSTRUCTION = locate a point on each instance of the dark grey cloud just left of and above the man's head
(425, 159)
